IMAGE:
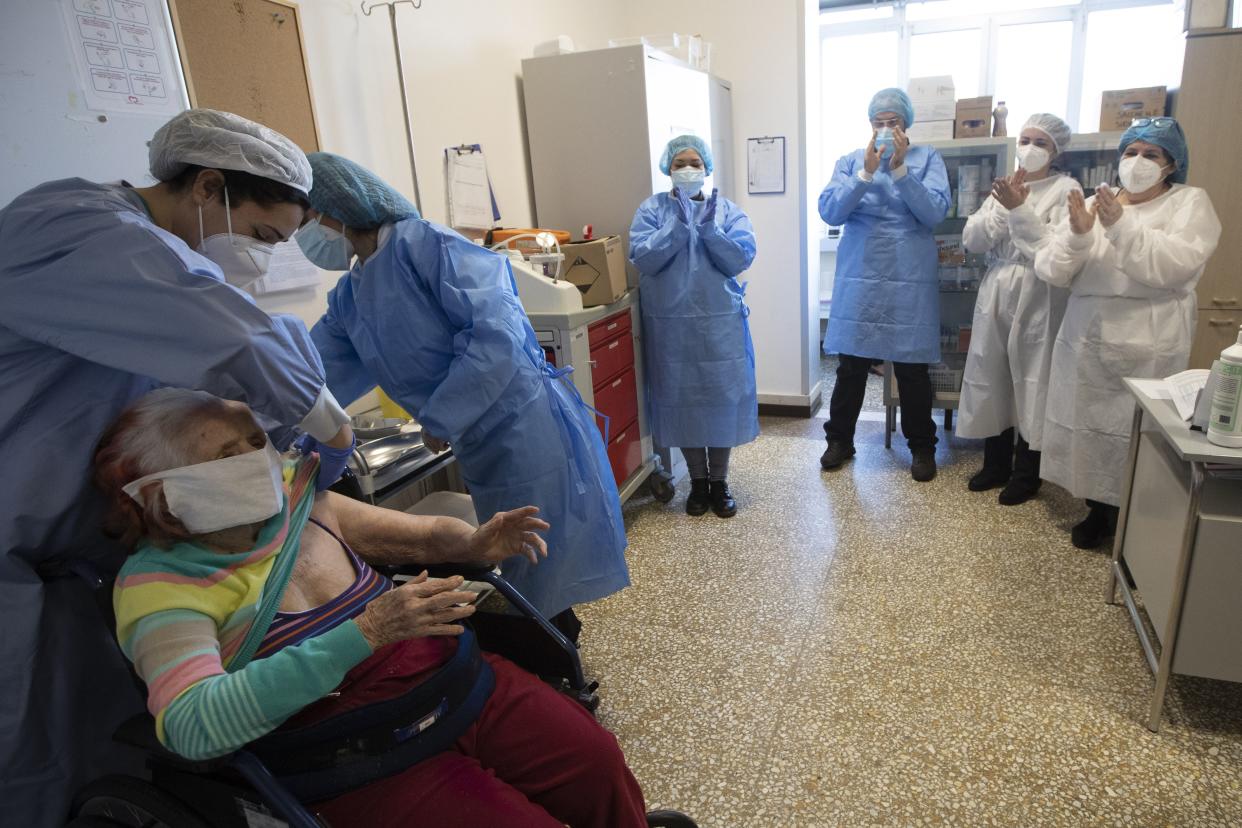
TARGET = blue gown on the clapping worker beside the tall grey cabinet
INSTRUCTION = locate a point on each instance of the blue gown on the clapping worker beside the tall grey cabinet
(700, 359)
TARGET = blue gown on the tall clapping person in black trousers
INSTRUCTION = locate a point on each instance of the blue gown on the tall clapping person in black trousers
(886, 296)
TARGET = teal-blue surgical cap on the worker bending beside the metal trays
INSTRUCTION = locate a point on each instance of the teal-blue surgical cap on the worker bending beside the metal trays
(355, 196)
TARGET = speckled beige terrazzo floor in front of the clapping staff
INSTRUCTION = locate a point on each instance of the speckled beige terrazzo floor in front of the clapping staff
(855, 649)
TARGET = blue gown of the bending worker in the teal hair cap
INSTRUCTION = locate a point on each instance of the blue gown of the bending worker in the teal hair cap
(437, 322)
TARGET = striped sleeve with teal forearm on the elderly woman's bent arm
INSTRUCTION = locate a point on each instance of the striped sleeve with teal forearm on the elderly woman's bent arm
(219, 712)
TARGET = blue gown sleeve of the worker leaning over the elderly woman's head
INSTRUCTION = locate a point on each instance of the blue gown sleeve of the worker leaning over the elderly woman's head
(122, 297)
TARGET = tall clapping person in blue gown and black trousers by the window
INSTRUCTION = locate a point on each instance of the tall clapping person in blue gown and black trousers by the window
(886, 301)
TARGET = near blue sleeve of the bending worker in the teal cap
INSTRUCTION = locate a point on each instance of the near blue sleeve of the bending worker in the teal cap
(475, 291)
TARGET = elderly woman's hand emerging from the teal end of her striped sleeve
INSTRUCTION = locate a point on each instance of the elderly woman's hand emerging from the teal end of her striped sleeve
(419, 609)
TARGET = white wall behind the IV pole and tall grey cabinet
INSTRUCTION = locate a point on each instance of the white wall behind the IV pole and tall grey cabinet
(463, 63)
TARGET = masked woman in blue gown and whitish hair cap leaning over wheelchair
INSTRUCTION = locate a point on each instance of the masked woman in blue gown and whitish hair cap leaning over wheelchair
(109, 291)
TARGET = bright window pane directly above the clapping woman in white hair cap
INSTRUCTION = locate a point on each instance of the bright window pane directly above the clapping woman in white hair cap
(1033, 70)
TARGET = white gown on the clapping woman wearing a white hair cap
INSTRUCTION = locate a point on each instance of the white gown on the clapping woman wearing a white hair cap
(1017, 315)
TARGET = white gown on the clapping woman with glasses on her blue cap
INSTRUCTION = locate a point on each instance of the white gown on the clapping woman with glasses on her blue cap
(1131, 313)
